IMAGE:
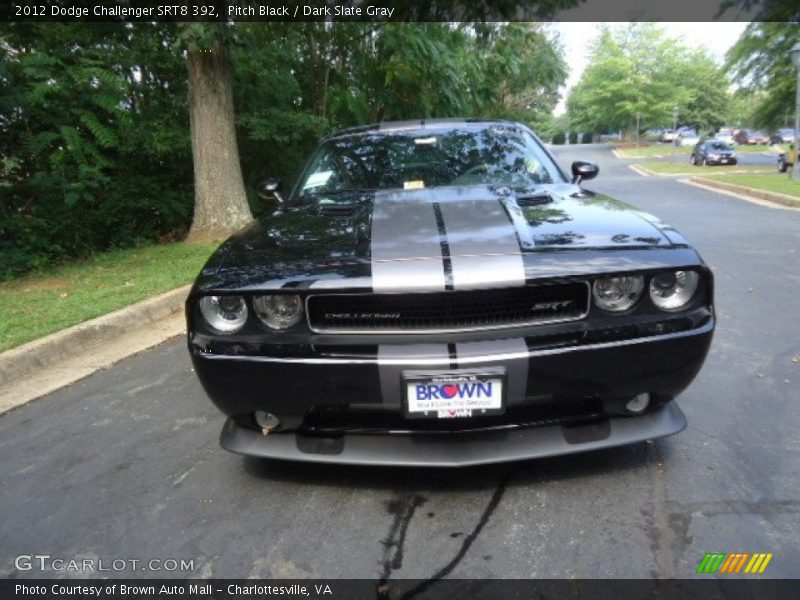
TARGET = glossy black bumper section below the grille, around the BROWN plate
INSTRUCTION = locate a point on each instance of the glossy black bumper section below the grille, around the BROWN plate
(292, 384)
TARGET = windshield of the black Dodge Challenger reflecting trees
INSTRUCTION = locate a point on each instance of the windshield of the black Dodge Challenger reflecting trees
(428, 158)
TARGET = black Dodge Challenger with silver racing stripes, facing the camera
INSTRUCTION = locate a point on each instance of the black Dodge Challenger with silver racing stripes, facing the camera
(441, 293)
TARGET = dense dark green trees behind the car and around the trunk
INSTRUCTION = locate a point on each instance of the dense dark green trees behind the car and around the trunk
(95, 150)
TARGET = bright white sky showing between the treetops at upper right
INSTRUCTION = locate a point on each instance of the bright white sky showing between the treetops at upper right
(576, 37)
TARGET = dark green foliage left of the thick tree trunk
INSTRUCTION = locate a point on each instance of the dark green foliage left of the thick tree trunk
(94, 143)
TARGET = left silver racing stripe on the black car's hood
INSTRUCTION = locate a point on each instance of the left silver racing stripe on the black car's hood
(406, 250)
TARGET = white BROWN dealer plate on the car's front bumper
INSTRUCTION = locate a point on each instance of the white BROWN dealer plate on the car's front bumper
(454, 394)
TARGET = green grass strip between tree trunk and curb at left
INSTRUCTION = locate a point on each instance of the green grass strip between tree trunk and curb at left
(38, 304)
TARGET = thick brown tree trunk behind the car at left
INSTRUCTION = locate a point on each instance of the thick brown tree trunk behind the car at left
(220, 202)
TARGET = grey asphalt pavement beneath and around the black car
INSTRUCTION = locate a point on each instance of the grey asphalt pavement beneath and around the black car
(125, 464)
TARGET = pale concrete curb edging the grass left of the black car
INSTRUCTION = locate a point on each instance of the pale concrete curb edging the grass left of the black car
(23, 361)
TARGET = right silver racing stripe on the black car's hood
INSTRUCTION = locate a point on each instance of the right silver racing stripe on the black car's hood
(483, 243)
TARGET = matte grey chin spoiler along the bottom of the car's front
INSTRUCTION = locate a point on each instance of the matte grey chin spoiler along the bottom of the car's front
(455, 449)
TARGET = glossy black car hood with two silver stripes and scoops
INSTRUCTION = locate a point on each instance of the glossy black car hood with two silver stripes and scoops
(410, 233)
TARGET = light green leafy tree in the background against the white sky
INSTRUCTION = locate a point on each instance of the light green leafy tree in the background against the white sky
(639, 71)
